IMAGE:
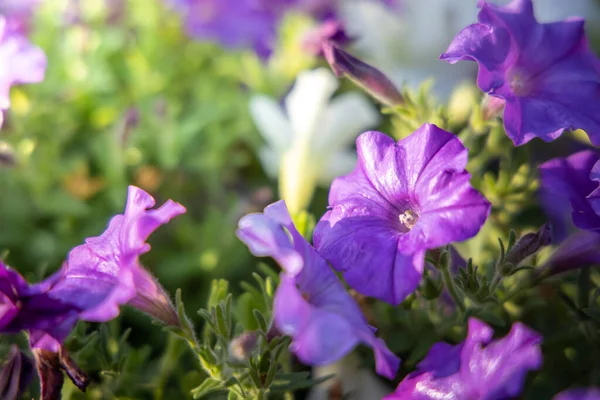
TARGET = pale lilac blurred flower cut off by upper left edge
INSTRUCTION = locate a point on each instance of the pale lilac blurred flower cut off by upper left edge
(20, 62)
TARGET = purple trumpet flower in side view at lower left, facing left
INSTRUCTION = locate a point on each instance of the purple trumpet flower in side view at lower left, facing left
(97, 278)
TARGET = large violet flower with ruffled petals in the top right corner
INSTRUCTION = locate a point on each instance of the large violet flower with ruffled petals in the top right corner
(546, 73)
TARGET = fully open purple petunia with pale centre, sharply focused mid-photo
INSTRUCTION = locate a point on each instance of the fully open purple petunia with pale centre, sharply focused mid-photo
(402, 199)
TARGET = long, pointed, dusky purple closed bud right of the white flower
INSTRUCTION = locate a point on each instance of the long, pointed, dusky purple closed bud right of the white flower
(362, 74)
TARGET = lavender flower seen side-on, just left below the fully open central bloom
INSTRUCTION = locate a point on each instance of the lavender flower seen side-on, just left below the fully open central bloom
(311, 305)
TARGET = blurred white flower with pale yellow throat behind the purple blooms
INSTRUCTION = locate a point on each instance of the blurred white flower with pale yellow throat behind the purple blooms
(309, 143)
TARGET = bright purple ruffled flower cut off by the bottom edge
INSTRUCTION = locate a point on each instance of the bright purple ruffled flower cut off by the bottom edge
(478, 368)
